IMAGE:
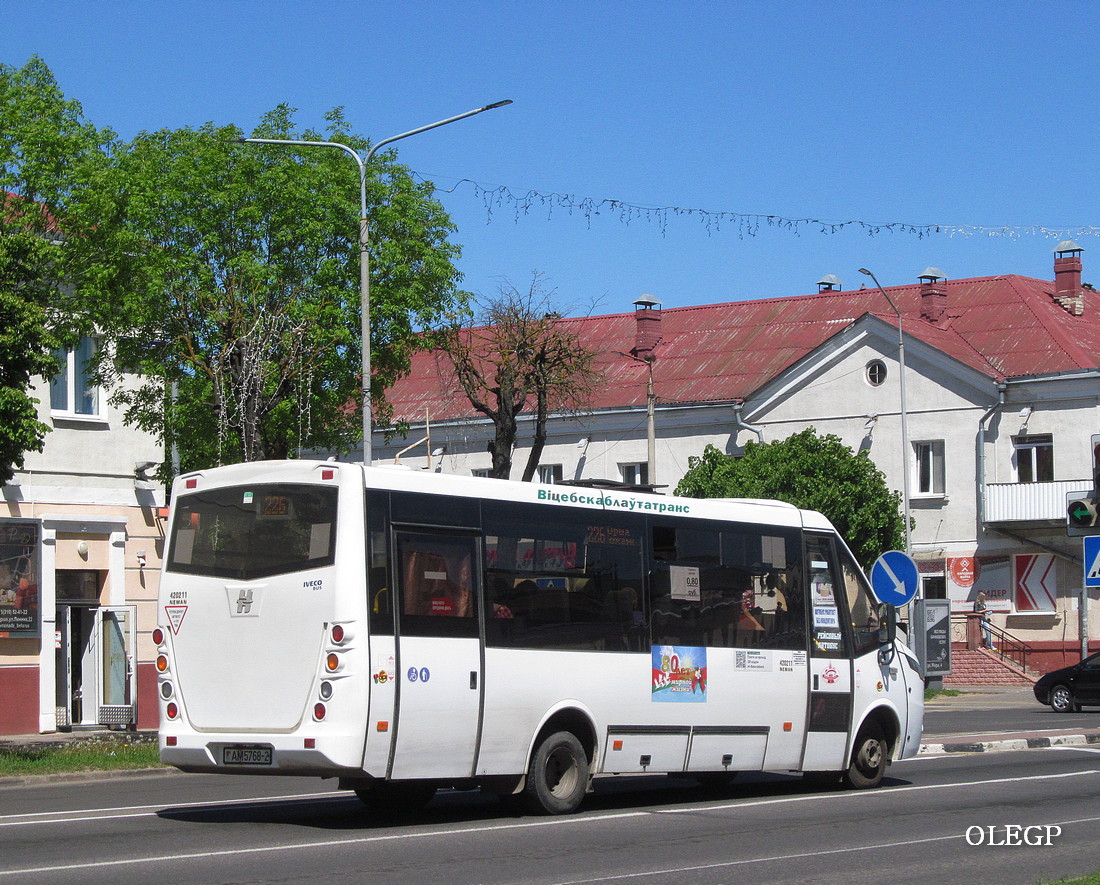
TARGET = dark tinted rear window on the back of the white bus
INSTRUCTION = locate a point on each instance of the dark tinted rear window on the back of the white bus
(248, 533)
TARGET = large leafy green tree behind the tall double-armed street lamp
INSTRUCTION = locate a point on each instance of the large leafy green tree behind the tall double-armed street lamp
(234, 286)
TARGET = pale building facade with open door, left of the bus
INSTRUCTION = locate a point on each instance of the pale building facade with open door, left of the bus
(82, 529)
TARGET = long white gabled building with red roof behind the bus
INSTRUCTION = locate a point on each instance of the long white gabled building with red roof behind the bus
(1003, 391)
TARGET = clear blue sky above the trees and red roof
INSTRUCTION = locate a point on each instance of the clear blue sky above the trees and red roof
(959, 114)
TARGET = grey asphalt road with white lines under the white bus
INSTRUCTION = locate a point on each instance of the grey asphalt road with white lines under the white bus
(922, 827)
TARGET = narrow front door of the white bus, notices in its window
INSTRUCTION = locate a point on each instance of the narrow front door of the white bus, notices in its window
(830, 713)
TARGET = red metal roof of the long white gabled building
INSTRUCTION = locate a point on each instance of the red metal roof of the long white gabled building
(1003, 327)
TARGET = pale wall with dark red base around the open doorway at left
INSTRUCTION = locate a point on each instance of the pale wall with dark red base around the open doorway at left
(95, 516)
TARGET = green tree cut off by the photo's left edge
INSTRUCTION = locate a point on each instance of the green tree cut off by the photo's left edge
(50, 156)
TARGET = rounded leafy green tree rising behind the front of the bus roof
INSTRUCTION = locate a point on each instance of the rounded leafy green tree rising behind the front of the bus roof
(812, 472)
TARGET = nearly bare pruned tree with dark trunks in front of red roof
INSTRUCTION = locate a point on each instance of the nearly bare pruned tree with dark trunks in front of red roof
(514, 355)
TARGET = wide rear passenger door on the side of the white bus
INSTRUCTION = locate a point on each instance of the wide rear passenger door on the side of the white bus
(439, 655)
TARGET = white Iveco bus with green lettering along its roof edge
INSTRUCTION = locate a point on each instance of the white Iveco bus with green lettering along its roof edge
(408, 632)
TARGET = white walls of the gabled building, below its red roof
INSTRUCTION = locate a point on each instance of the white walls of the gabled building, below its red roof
(945, 401)
